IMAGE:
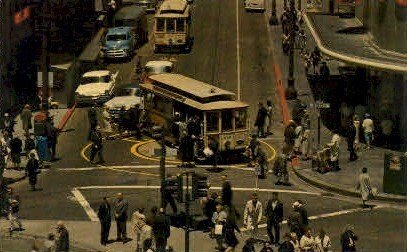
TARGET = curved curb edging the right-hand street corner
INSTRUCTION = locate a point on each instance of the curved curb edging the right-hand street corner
(345, 192)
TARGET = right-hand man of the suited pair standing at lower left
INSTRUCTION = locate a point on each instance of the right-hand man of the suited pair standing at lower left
(120, 214)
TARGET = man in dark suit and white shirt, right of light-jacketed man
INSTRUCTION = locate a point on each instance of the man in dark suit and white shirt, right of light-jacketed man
(274, 214)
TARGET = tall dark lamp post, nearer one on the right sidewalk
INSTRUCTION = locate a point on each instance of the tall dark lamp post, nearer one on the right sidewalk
(291, 92)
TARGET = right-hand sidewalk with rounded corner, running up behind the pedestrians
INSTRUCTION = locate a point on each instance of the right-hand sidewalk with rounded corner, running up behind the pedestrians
(343, 181)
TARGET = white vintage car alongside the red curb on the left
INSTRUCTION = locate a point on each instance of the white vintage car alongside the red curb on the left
(96, 87)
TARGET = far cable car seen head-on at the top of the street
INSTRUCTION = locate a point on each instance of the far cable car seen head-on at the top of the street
(172, 25)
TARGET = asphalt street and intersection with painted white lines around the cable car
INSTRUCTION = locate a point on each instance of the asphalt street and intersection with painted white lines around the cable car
(72, 181)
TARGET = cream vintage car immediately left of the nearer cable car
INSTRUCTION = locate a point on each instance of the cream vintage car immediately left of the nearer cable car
(126, 97)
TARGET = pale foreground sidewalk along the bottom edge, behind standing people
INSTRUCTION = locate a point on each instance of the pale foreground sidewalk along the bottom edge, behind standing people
(84, 236)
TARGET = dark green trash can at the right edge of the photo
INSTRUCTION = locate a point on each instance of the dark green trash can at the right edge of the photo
(395, 174)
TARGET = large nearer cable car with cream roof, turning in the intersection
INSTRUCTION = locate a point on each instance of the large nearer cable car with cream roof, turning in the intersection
(172, 101)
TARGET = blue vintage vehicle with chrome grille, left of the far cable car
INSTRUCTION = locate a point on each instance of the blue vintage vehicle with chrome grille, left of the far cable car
(119, 42)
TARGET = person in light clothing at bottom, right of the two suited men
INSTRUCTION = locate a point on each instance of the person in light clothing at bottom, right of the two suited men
(140, 228)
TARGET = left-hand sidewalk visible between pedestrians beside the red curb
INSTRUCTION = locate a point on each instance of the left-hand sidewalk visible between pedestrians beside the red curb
(61, 116)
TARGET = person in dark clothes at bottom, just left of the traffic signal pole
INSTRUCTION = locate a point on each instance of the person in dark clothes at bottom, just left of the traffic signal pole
(161, 230)
